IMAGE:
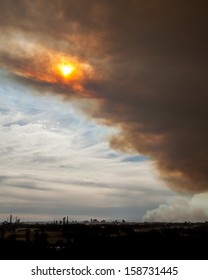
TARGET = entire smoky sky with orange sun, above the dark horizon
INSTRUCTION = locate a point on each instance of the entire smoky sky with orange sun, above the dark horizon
(103, 110)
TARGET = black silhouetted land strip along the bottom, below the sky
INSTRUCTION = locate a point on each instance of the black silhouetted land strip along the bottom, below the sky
(124, 241)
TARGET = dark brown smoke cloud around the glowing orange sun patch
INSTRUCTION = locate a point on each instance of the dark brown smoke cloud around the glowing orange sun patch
(150, 57)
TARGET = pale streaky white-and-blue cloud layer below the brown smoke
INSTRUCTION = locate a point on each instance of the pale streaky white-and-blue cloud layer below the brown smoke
(55, 163)
